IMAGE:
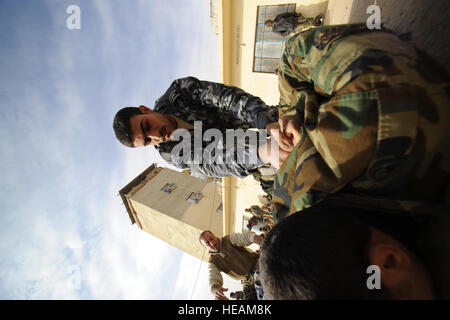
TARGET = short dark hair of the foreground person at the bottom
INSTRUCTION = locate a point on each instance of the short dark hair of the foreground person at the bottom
(318, 253)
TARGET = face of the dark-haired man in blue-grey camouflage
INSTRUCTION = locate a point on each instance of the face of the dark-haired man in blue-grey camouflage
(151, 128)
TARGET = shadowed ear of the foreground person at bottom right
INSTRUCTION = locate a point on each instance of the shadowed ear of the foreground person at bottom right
(394, 263)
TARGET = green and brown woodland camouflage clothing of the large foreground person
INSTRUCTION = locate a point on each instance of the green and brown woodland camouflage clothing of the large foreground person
(375, 116)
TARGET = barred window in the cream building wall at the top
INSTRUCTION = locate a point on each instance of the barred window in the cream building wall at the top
(269, 45)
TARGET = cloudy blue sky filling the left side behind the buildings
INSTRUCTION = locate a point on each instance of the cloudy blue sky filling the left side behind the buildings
(61, 164)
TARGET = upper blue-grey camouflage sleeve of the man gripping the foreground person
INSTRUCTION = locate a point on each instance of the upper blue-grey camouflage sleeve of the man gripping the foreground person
(229, 99)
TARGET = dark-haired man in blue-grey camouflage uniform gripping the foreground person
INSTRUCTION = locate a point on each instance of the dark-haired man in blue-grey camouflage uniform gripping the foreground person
(215, 106)
